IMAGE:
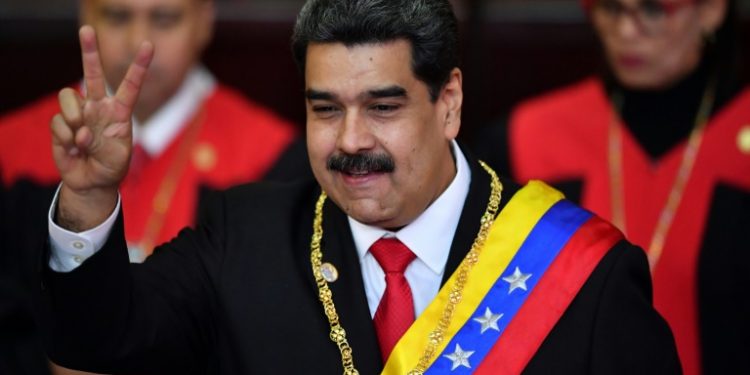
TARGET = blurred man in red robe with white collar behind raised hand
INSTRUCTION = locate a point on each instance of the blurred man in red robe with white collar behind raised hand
(193, 136)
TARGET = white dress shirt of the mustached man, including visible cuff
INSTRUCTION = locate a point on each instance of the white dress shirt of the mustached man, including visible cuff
(429, 237)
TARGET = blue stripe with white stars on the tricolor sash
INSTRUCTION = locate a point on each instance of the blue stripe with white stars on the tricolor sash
(538, 251)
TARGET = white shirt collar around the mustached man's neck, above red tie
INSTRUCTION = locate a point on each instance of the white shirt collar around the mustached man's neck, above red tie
(430, 236)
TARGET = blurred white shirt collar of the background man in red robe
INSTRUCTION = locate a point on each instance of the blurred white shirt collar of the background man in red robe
(161, 129)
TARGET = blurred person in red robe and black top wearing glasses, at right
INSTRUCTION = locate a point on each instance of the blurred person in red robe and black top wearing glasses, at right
(660, 145)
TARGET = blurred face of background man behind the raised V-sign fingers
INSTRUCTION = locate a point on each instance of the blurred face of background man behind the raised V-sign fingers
(179, 30)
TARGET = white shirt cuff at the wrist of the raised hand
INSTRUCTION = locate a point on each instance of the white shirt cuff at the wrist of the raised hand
(70, 249)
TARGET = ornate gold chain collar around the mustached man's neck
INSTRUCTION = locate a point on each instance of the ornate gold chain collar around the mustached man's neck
(338, 334)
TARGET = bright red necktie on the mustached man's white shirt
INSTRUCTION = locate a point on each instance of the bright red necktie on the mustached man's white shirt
(395, 313)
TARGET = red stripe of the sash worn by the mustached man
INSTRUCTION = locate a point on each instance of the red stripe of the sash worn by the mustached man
(551, 297)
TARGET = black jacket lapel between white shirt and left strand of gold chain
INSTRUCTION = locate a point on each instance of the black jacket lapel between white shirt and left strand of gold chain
(349, 291)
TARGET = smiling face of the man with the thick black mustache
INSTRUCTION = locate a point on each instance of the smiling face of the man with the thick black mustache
(365, 101)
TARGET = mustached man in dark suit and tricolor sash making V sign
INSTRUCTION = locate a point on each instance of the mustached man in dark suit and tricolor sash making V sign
(276, 272)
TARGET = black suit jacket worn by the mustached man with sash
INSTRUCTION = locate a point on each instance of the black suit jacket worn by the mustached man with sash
(237, 296)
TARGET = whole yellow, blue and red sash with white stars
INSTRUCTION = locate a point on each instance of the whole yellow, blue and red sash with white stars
(539, 252)
